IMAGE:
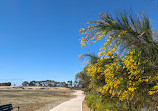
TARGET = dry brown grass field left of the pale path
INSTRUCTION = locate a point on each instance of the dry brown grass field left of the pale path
(34, 99)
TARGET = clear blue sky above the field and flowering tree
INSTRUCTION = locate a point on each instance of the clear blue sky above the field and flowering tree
(39, 39)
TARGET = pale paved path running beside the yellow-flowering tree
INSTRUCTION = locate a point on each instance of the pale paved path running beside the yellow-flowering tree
(74, 104)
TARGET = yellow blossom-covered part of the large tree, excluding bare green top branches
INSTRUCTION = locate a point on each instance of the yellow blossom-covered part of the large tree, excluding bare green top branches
(123, 76)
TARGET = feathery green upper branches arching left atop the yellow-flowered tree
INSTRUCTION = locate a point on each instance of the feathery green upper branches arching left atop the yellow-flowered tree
(127, 31)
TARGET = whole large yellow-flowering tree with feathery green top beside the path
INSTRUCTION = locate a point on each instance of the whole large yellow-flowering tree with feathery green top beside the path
(126, 66)
